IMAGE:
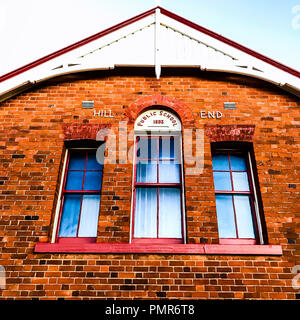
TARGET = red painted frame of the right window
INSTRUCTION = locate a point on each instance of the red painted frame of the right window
(238, 240)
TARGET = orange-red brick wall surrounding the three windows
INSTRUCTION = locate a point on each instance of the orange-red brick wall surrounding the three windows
(33, 128)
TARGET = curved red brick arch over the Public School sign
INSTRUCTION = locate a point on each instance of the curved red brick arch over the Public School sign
(140, 105)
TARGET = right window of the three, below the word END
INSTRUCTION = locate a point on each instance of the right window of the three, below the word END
(236, 199)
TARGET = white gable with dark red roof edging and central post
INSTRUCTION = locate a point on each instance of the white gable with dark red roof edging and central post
(156, 38)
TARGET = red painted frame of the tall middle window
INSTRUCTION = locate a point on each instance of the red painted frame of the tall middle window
(179, 185)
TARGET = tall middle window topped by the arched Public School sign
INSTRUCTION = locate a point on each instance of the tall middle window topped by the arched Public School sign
(158, 187)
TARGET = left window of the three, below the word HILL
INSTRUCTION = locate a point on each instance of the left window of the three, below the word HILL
(80, 197)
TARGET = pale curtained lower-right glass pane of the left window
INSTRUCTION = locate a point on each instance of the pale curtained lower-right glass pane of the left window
(89, 216)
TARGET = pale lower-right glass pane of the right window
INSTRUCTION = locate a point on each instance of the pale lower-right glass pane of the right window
(244, 216)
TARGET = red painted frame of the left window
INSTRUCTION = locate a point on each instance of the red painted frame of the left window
(75, 240)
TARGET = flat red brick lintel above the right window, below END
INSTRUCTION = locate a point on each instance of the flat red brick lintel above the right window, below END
(235, 132)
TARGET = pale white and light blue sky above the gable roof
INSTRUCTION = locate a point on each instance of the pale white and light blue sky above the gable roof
(31, 29)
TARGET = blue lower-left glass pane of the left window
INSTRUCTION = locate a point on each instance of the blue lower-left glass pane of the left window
(70, 216)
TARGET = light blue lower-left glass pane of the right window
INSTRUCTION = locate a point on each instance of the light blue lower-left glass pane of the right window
(225, 215)
